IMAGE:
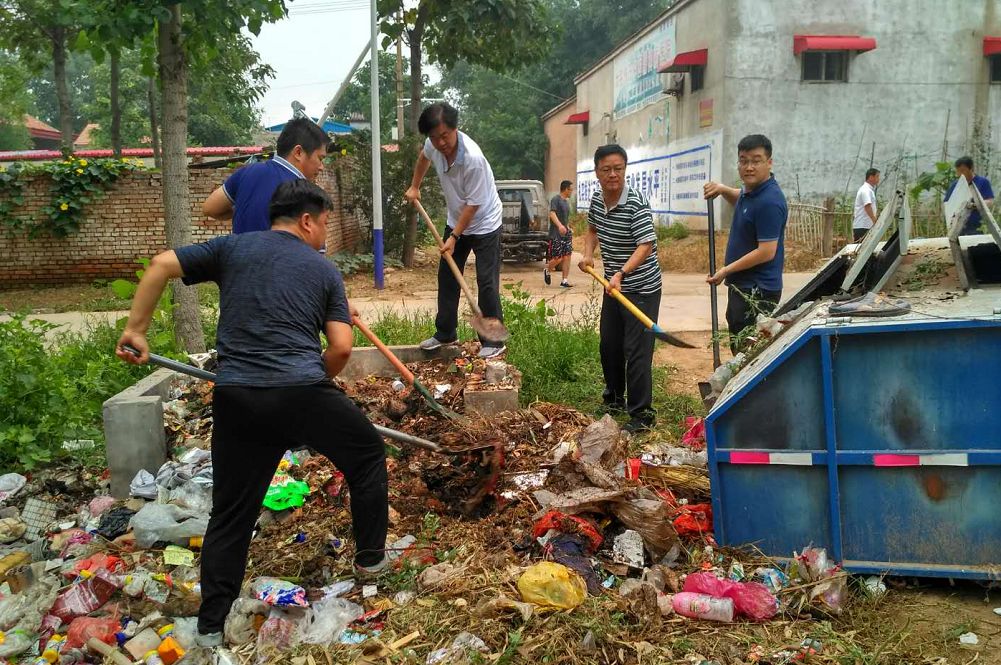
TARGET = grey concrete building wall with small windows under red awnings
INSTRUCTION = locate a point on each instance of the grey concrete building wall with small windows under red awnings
(928, 66)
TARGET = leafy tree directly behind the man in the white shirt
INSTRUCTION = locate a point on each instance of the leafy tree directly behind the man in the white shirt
(499, 35)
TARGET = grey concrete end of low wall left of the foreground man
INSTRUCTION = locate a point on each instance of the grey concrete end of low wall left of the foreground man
(134, 430)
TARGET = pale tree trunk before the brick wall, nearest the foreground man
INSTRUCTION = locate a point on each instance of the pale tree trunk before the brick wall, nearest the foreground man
(177, 197)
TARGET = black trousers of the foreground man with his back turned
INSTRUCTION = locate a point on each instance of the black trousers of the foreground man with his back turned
(253, 428)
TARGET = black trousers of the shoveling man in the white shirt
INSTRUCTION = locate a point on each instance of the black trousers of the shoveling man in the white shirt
(488, 251)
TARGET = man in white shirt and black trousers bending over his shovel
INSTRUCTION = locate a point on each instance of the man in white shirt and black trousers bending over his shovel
(474, 225)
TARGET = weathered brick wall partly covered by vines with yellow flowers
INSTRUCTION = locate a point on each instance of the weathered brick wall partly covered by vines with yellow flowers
(128, 224)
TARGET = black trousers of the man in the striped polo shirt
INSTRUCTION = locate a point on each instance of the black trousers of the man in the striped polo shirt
(627, 351)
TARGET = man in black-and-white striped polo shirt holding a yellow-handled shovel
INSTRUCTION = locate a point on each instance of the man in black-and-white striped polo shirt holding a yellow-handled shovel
(621, 224)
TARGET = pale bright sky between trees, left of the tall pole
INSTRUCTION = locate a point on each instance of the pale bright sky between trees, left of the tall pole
(312, 53)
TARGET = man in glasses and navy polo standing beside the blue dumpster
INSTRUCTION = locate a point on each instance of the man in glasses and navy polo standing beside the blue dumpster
(753, 266)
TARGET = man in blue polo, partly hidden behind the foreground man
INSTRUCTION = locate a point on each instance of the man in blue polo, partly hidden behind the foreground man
(247, 194)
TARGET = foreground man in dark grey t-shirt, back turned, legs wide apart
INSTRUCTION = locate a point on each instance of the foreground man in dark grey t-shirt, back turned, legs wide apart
(273, 393)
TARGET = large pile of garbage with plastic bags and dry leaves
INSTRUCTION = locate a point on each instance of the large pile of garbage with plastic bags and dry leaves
(577, 525)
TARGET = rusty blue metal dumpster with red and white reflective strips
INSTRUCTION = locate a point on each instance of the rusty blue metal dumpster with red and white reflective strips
(879, 440)
